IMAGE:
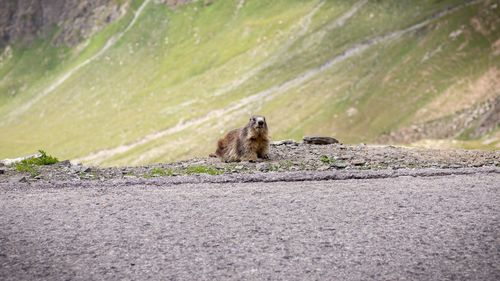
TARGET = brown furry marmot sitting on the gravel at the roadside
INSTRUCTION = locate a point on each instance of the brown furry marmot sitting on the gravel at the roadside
(245, 144)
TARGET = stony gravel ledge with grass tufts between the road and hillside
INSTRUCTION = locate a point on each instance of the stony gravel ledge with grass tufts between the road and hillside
(287, 160)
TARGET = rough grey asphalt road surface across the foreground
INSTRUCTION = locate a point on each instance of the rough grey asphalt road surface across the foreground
(419, 224)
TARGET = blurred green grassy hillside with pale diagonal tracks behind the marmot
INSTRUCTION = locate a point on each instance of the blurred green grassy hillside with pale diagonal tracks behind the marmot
(163, 84)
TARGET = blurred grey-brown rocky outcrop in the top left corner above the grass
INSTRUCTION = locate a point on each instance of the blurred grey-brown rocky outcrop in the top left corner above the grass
(24, 21)
